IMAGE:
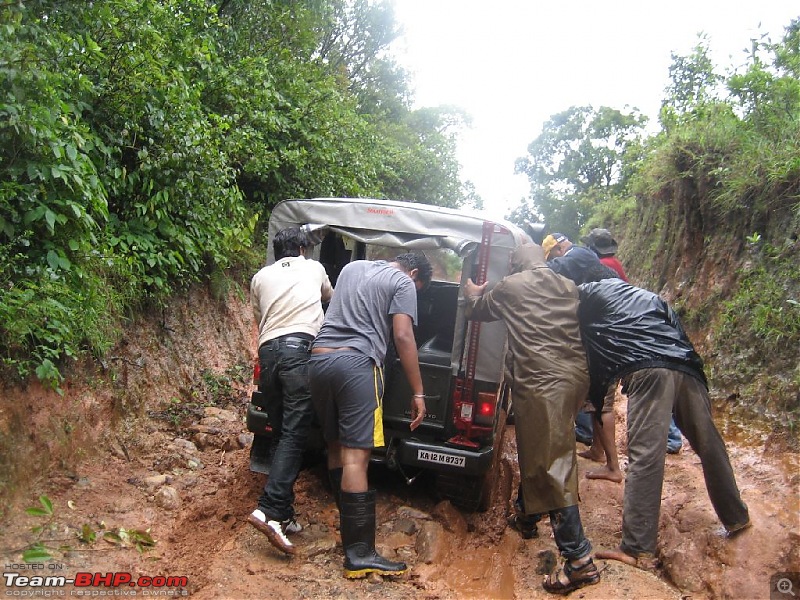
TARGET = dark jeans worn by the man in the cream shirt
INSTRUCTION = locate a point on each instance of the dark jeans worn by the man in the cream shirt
(284, 382)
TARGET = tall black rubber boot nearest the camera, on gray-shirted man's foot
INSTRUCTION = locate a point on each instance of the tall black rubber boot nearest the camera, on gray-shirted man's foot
(358, 538)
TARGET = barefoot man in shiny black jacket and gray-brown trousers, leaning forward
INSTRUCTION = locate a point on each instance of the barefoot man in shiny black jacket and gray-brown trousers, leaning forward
(632, 334)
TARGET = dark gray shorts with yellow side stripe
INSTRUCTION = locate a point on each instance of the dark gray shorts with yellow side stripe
(347, 391)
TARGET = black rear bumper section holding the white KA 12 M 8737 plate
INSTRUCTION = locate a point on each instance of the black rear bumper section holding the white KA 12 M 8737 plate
(444, 459)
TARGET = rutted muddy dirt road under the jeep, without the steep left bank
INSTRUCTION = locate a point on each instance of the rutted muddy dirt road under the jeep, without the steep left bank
(191, 491)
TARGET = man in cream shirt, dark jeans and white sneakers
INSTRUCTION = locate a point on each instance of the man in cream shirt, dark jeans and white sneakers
(287, 299)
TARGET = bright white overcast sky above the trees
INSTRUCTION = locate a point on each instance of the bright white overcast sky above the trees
(512, 64)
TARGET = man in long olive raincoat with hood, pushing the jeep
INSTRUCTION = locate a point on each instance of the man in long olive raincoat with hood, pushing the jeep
(550, 381)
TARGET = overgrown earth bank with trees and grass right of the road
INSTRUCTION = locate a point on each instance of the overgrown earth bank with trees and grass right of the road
(707, 209)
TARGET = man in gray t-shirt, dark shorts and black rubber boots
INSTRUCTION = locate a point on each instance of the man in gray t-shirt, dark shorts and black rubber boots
(373, 298)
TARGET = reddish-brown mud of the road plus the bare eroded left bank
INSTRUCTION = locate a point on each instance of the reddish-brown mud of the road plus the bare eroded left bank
(188, 485)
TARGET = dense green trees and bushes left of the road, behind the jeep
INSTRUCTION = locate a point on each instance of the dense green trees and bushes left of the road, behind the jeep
(143, 142)
